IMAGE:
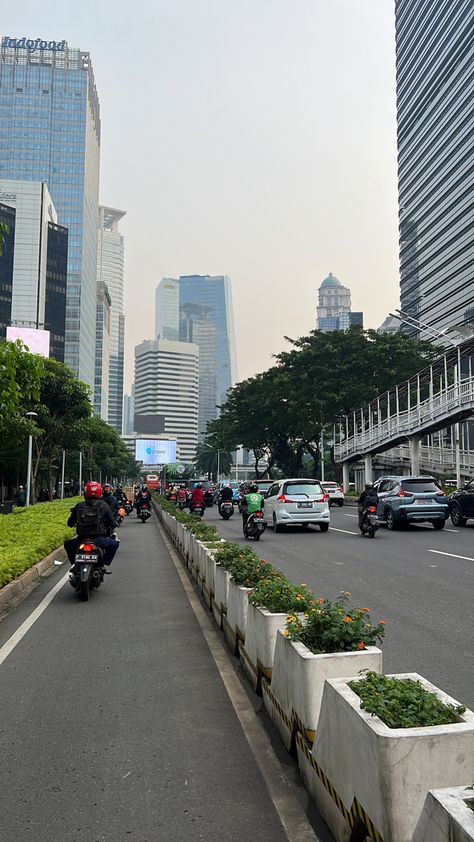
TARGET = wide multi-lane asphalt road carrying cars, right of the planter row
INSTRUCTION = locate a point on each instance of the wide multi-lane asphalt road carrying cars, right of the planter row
(412, 579)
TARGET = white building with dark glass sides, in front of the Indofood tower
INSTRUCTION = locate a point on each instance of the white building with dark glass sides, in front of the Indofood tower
(33, 269)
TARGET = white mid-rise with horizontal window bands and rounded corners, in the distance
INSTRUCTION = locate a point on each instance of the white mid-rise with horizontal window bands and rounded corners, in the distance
(166, 386)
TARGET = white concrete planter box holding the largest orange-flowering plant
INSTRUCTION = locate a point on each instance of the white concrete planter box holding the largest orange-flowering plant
(298, 681)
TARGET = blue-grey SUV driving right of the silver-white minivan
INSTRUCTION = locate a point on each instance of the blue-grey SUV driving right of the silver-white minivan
(404, 500)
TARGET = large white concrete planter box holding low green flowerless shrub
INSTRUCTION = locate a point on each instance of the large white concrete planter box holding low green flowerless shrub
(379, 772)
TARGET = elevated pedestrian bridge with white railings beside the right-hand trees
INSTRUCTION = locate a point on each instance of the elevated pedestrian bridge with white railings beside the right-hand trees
(438, 397)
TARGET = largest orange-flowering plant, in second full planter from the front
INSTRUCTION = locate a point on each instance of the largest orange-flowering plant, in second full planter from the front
(334, 627)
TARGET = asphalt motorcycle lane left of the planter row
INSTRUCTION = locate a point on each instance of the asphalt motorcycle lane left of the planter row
(114, 722)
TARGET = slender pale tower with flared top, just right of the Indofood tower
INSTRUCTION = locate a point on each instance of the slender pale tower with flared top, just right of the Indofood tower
(110, 270)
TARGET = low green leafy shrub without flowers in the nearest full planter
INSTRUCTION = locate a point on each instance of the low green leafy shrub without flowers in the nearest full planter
(402, 702)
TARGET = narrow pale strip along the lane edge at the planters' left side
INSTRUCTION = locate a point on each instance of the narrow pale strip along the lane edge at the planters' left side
(280, 788)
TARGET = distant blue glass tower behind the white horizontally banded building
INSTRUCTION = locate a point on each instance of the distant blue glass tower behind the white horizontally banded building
(213, 294)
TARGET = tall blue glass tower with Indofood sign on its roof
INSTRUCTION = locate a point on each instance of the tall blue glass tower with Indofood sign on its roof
(50, 132)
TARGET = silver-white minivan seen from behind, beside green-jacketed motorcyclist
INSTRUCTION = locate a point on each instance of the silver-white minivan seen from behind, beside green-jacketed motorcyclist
(296, 502)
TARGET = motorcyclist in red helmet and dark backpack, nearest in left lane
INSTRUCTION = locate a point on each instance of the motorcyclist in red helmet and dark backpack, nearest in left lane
(95, 512)
